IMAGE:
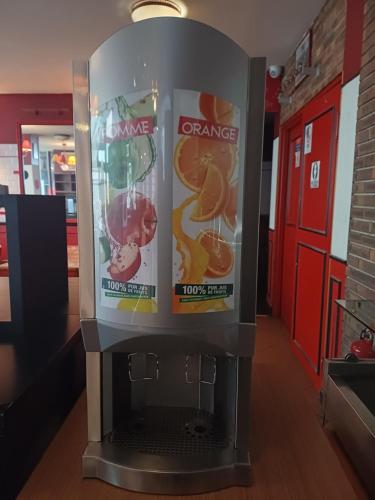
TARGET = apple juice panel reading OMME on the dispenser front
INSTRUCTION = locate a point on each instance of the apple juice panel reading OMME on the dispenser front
(124, 159)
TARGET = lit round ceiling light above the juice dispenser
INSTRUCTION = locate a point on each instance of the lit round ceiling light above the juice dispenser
(146, 9)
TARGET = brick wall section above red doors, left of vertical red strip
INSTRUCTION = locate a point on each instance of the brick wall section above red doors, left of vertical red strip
(328, 31)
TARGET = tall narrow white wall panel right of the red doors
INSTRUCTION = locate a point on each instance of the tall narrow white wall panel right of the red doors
(344, 169)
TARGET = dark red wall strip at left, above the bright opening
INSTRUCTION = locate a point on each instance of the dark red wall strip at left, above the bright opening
(31, 109)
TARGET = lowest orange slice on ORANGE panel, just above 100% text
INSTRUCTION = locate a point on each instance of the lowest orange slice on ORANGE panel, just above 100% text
(220, 254)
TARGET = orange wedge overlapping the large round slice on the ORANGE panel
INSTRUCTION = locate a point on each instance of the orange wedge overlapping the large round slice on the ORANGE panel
(211, 197)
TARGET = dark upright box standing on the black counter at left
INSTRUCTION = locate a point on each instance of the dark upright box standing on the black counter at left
(38, 270)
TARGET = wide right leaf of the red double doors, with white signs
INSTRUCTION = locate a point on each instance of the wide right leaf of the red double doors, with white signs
(313, 235)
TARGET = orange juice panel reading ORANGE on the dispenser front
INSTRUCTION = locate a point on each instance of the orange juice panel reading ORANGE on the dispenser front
(205, 181)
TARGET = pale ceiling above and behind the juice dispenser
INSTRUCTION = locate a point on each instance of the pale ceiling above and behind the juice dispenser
(40, 38)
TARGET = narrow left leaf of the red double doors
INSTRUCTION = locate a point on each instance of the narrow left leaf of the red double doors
(294, 157)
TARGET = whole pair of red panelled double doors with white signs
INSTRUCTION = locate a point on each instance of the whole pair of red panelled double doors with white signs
(307, 176)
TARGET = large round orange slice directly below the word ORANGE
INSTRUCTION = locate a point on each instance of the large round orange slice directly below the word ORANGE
(194, 154)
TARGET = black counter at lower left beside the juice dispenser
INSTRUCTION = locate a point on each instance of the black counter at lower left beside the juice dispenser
(43, 380)
